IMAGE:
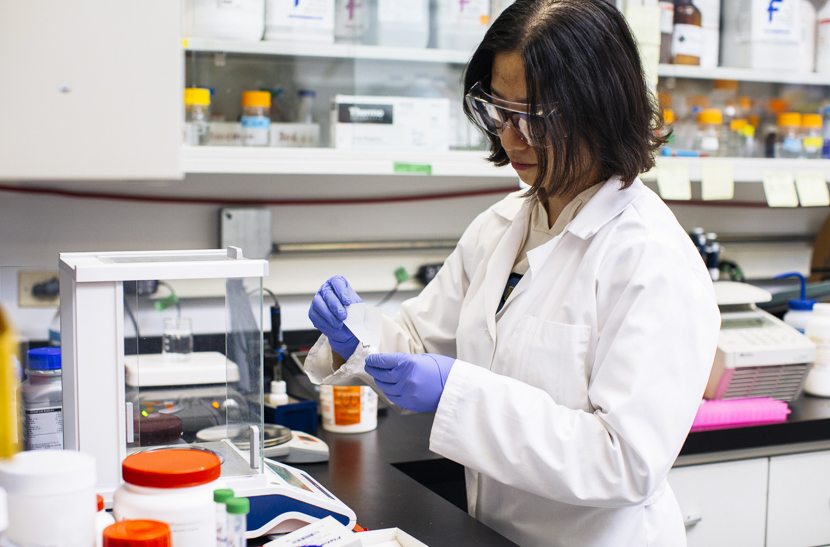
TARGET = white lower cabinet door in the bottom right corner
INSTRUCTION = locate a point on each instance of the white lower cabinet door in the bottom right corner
(799, 500)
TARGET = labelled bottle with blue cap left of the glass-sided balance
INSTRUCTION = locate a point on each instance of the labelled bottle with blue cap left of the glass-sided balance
(41, 400)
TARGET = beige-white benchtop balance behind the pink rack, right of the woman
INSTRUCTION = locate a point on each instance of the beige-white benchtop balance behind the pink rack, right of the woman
(758, 355)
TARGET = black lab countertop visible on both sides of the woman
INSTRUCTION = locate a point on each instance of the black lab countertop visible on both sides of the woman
(391, 479)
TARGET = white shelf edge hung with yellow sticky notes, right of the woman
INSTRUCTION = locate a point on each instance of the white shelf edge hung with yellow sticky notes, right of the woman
(744, 169)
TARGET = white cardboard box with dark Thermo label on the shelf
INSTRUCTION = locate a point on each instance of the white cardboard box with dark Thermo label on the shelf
(409, 123)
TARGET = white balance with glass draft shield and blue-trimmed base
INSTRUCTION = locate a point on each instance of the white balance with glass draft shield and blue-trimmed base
(110, 411)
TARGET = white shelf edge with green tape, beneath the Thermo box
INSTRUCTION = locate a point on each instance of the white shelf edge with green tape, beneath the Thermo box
(330, 161)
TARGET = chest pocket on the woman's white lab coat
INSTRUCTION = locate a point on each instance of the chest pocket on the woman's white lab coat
(551, 356)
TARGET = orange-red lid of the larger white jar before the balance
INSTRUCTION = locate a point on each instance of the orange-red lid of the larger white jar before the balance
(172, 468)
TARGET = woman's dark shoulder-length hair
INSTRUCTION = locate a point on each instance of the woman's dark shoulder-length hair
(580, 58)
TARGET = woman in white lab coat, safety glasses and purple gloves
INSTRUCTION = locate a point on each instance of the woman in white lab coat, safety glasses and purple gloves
(566, 342)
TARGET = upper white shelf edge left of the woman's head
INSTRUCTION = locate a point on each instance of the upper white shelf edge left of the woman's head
(344, 51)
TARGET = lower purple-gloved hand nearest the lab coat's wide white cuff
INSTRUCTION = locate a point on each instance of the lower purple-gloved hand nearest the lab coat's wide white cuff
(414, 382)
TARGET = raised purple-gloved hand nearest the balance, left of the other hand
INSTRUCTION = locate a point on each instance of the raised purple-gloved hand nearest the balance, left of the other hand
(328, 310)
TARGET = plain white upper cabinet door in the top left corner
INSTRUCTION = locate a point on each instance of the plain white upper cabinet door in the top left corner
(90, 89)
